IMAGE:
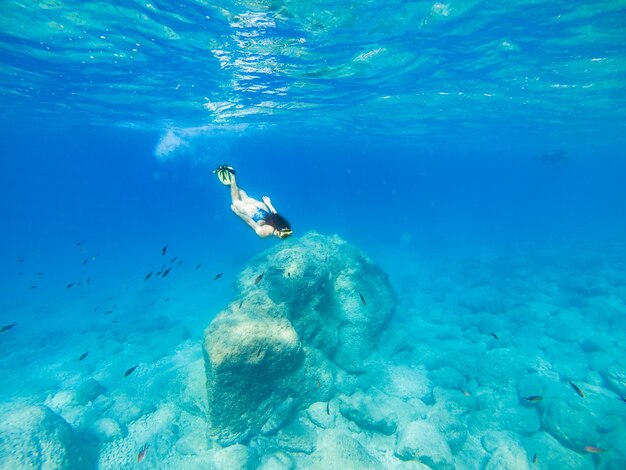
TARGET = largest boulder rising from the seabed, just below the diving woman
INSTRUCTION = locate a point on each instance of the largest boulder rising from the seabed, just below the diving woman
(305, 312)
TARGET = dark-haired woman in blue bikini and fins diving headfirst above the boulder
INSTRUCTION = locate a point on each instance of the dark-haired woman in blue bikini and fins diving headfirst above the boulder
(261, 216)
